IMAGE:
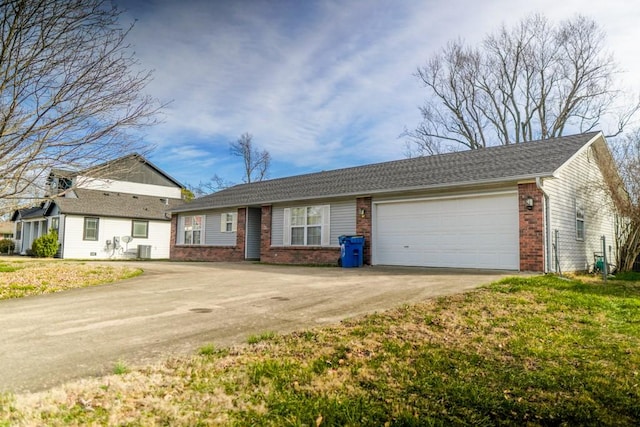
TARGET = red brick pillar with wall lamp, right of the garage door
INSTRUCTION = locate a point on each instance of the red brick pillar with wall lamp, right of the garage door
(531, 228)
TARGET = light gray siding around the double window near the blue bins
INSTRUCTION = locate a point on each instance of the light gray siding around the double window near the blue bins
(342, 220)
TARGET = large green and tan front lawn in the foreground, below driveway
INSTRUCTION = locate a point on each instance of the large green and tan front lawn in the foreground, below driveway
(522, 351)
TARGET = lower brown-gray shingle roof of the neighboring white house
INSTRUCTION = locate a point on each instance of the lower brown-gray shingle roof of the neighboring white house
(111, 204)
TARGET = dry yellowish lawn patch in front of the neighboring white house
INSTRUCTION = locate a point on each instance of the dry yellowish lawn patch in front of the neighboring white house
(21, 278)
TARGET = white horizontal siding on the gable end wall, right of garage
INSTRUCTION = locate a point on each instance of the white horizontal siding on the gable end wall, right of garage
(580, 180)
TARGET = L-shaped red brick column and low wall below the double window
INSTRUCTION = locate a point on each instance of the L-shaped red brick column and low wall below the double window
(292, 254)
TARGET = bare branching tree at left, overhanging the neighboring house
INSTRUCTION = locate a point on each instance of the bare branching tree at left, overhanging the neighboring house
(70, 89)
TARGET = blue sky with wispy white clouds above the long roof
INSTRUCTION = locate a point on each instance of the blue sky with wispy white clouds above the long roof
(319, 84)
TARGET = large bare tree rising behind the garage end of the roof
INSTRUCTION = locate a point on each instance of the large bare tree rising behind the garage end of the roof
(533, 81)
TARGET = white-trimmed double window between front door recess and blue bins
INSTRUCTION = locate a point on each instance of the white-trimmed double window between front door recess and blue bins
(306, 226)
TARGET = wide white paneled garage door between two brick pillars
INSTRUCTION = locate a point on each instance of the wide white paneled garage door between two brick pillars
(469, 232)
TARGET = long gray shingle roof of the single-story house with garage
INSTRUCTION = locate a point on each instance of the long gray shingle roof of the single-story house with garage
(494, 164)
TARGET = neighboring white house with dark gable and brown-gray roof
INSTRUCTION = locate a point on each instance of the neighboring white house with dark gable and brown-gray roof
(114, 210)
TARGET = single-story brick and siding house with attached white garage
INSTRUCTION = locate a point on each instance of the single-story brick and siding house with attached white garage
(538, 206)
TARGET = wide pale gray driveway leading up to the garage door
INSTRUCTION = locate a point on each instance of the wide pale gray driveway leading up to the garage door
(175, 308)
